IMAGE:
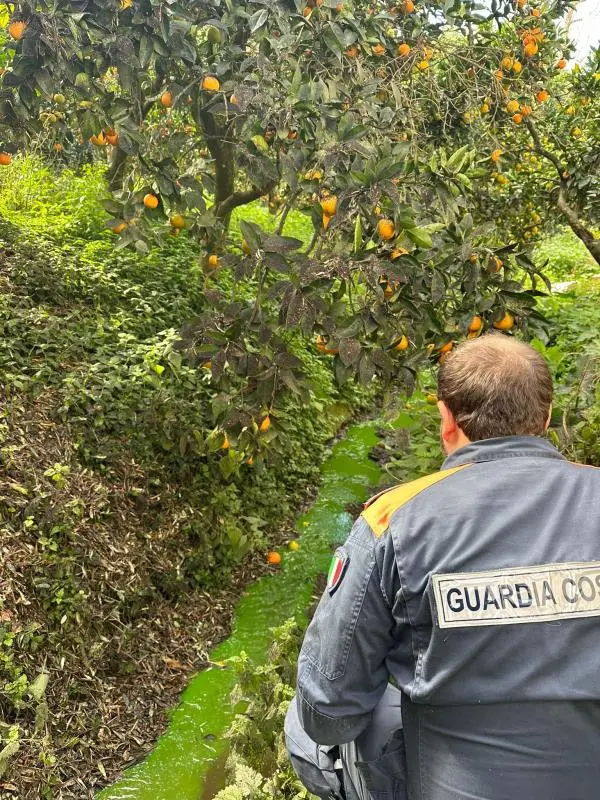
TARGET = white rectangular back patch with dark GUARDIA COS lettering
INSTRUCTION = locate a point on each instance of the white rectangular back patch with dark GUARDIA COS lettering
(517, 595)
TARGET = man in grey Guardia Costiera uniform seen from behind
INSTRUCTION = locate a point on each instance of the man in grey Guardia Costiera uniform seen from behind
(477, 591)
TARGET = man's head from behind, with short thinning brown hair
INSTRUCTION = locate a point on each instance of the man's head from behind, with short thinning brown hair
(493, 386)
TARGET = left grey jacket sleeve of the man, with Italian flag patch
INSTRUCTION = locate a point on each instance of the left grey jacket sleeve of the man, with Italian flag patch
(342, 671)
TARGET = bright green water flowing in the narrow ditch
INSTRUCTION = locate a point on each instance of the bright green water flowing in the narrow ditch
(177, 767)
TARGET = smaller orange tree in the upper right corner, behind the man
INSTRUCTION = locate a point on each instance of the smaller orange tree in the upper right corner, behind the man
(535, 124)
